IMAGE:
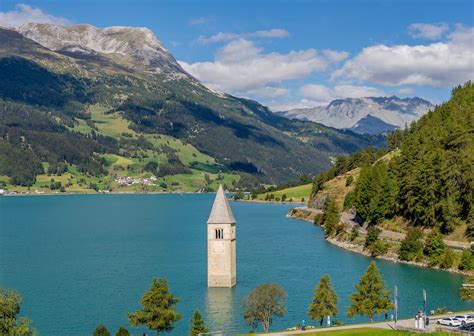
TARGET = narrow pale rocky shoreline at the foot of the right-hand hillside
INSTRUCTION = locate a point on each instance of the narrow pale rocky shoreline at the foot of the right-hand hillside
(355, 248)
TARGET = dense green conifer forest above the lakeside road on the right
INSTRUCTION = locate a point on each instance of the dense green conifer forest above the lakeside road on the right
(429, 180)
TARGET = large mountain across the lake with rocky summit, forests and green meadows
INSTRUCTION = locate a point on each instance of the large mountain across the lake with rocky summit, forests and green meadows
(75, 95)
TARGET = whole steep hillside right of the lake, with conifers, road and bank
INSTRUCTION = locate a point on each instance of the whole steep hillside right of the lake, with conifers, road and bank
(412, 202)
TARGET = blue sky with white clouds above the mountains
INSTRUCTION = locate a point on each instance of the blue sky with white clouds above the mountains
(294, 53)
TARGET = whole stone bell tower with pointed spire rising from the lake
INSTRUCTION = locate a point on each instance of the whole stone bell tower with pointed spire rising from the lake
(221, 256)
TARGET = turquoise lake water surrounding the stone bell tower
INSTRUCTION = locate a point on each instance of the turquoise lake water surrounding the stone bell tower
(80, 261)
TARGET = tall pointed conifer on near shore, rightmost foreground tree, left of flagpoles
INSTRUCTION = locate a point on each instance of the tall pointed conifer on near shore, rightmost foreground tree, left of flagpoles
(370, 296)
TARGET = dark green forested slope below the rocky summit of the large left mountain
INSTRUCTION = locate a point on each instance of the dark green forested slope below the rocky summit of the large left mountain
(43, 95)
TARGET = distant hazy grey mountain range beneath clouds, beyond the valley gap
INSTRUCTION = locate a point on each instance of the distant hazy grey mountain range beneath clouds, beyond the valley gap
(370, 115)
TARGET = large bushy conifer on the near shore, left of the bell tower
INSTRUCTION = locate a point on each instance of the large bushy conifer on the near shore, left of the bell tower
(159, 308)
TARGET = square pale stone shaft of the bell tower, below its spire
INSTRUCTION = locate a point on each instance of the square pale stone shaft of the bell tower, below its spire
(221, 256)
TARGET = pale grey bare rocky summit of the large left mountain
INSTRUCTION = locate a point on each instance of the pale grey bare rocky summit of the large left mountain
(136, 44)
